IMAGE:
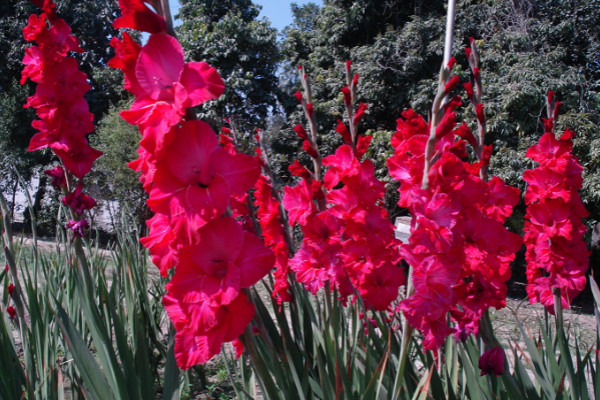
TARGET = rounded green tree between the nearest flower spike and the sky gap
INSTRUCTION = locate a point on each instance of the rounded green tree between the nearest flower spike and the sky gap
(227, 35)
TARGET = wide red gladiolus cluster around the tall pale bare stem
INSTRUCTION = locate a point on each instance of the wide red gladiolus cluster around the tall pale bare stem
(459, 249)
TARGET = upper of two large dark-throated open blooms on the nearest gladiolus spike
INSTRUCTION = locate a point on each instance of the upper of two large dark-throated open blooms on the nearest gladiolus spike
(196, 177)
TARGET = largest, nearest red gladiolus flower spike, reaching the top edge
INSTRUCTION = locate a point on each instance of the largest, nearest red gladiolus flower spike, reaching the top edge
(191, 181)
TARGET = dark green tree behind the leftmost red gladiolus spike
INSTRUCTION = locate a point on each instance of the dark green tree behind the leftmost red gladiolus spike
(91, 23)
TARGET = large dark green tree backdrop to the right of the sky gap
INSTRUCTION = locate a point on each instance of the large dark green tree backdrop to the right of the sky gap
(527, 48)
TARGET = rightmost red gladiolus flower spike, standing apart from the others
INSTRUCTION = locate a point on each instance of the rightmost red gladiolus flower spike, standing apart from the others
(556, 255)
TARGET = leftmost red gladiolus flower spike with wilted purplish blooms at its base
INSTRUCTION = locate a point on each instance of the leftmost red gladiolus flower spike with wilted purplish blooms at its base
(64, 115)
